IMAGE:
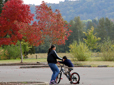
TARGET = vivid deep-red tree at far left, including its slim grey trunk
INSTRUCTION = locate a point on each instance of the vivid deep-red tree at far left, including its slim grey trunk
(15, 25)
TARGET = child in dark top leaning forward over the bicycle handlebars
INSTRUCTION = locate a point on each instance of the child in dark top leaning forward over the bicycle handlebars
(68, 65)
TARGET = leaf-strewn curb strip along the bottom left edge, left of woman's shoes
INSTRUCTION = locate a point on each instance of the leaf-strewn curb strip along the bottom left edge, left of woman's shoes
(24, 83)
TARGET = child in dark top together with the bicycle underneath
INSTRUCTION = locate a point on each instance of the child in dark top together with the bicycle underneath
(68, 66)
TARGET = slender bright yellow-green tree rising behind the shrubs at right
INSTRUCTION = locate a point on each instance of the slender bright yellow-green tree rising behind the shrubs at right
(91, 39)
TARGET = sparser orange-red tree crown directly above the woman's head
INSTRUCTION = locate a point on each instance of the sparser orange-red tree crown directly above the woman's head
(53, 25)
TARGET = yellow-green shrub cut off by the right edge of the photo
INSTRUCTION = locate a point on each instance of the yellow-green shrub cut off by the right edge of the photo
(107, 50)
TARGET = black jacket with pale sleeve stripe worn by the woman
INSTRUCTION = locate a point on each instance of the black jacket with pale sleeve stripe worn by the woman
(52, 57)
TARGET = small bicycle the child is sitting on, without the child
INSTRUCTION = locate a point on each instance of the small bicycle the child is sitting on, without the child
(74, 77)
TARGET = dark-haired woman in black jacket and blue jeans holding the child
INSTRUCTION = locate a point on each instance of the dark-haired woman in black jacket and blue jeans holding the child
(52, 61)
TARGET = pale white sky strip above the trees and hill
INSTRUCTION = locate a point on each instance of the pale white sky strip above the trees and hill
(38, 2)
